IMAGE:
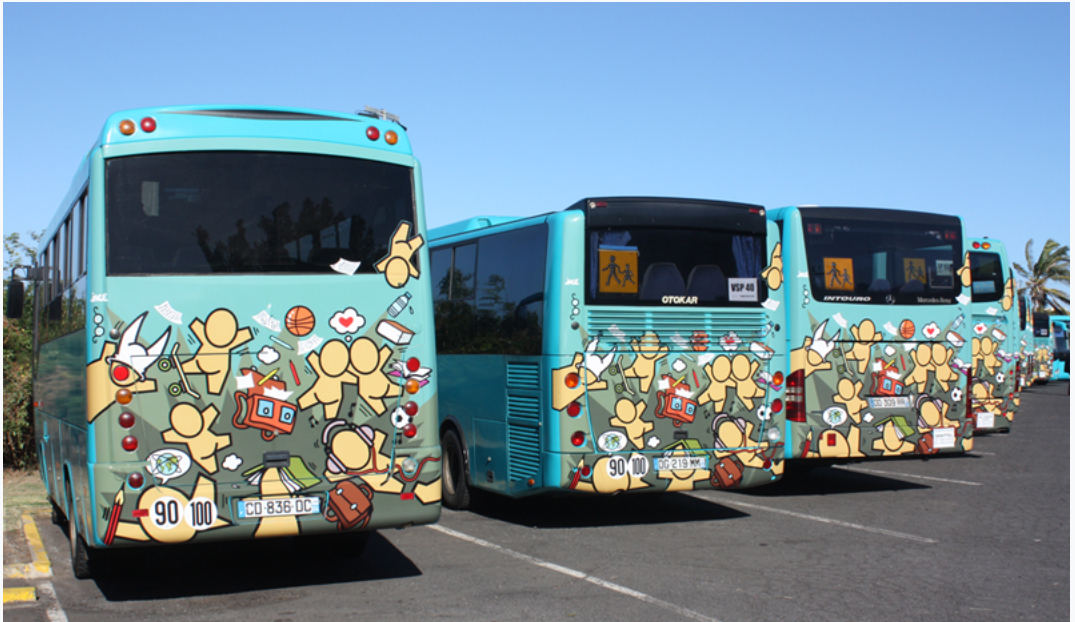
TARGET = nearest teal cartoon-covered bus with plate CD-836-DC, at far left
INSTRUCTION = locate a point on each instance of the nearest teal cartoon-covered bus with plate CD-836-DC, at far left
(234, 331)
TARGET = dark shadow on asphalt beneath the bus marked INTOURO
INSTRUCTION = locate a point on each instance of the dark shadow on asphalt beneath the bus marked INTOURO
(824, 481)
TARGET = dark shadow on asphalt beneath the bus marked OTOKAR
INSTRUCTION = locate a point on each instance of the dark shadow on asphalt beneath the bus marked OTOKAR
(572, 512)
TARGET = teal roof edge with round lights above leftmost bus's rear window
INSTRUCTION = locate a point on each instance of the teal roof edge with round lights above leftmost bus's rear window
(208, 122)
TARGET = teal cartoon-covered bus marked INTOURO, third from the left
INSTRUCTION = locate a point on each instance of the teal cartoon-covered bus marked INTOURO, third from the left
(878, 321)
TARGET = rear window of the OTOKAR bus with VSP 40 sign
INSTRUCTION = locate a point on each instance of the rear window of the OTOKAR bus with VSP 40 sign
(647, 266)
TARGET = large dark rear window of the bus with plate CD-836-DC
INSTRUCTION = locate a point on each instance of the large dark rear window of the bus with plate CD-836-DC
(250, 212)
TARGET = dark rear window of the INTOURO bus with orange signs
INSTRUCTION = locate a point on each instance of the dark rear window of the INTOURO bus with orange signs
(883, 262)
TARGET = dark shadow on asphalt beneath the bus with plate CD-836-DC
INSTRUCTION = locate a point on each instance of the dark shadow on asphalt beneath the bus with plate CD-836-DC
(155, 573)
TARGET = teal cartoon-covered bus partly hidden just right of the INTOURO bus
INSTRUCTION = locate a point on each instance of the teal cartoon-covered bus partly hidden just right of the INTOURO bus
(995, 344)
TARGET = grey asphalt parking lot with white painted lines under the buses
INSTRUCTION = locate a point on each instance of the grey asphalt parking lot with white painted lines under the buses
(980, 538)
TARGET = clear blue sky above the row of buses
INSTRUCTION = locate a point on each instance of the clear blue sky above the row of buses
(524, 109)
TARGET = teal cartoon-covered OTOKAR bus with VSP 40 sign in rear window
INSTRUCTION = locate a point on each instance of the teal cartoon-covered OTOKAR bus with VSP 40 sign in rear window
(621, 345)
